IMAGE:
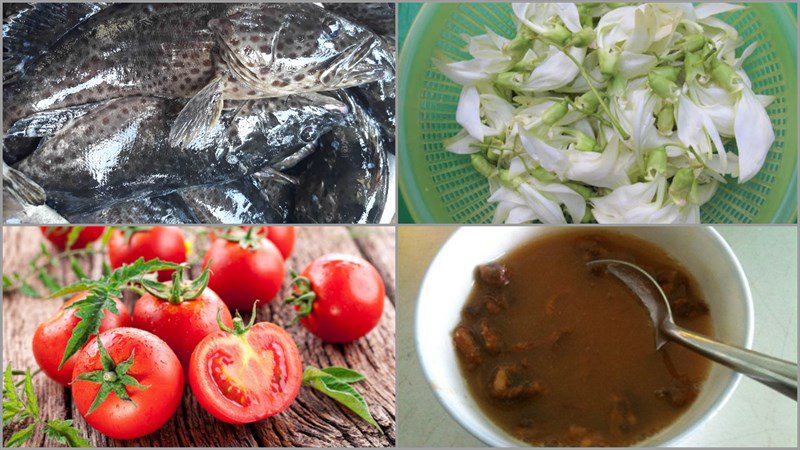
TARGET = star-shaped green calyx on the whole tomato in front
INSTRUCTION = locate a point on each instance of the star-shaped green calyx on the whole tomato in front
(113, 377)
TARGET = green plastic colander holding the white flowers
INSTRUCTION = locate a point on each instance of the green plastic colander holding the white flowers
(441, 187)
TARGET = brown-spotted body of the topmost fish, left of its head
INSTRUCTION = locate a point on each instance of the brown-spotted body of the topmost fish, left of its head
(124, 50)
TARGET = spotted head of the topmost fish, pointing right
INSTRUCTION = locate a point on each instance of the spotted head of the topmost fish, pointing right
(280, 49)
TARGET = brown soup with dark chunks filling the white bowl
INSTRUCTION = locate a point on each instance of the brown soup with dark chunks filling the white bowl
(559, 355)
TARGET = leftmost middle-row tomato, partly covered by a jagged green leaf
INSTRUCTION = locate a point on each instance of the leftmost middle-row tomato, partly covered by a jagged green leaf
(51, 337)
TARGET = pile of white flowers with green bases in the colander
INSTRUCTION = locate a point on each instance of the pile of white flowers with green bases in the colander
(609, 114)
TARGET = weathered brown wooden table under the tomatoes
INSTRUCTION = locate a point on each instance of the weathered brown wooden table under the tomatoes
(313, 420)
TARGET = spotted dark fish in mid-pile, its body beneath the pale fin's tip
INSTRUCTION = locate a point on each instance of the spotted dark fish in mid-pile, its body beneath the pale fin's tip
(119, 150)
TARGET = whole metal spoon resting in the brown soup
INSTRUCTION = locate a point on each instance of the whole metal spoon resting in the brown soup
(775, 373)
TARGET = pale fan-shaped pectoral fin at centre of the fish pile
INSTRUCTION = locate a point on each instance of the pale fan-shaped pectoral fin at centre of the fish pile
(200, 114)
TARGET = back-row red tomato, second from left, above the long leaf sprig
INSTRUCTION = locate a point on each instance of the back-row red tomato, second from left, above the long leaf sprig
(164, 243)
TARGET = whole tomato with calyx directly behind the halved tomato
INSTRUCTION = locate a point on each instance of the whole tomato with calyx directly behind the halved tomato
(182, 322)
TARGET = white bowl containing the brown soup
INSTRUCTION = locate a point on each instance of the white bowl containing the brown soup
(448, 282)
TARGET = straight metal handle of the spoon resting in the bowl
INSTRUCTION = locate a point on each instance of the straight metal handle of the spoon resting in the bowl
(776, 373)
